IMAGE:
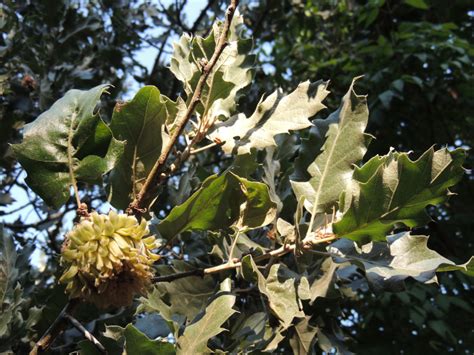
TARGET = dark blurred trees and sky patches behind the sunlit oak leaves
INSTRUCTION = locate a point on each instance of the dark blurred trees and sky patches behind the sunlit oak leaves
(416, 57)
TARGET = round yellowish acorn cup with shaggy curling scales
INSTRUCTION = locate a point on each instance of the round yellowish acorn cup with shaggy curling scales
(108, 259)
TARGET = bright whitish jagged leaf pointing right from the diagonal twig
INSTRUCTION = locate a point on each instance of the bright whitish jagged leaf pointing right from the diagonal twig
(276, 114)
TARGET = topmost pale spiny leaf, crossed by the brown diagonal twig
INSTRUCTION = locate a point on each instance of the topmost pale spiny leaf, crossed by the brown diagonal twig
(232, 72)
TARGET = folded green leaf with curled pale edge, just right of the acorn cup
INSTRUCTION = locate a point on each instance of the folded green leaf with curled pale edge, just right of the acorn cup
(221, 201)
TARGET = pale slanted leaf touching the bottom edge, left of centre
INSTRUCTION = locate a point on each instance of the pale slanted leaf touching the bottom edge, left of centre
(207, 325)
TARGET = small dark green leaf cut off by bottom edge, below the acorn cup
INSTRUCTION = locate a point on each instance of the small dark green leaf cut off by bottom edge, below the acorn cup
(138, 343)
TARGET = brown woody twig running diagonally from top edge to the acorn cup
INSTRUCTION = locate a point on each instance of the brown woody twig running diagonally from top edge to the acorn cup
(136, 206)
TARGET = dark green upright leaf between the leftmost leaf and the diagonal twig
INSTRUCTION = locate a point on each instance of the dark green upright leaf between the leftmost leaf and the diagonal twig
(141, 123)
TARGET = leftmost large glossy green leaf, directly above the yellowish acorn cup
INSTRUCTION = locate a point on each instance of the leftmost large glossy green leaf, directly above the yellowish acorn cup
(69, 143)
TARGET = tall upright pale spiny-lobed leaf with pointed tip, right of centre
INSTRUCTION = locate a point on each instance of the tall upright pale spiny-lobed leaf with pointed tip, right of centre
(329, 166)
